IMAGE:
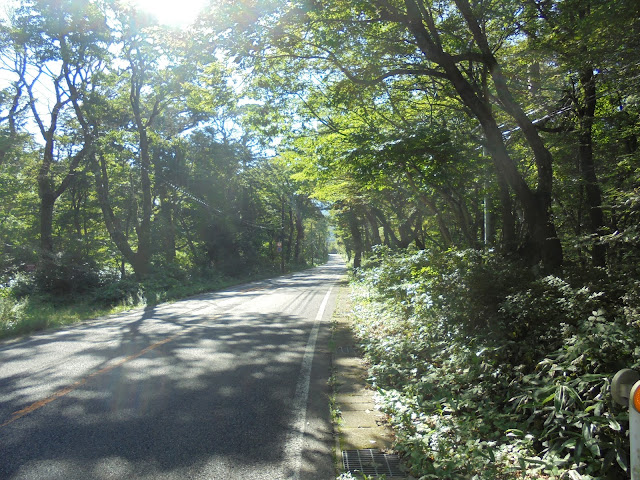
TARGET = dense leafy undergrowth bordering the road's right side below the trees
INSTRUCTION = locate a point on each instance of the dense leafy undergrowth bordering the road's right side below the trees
(487, 371)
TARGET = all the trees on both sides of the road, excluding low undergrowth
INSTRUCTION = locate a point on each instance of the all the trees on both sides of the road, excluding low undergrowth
(129, 144)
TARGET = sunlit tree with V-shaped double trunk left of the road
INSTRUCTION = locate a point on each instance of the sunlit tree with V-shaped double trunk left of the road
(144, 92)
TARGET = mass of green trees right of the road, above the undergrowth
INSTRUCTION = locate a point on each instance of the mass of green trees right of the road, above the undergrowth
(506, 124)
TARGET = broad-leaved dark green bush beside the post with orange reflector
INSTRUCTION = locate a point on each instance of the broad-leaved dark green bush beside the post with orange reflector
(567, 400)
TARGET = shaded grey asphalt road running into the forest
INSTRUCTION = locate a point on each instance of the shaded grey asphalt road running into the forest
(227, 385)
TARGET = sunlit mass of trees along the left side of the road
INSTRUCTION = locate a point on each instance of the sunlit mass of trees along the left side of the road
(126, 151)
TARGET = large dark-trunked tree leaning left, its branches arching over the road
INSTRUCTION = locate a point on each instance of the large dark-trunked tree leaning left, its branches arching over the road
(452, 45)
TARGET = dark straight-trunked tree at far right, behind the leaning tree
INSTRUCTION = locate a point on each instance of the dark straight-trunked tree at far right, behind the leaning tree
(578, 37)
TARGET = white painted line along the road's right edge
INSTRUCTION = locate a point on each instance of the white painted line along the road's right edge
(296, 441)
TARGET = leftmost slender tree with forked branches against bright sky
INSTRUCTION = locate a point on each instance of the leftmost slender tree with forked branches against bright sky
(58, 47)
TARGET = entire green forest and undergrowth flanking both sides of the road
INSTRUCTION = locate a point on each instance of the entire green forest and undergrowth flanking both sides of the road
(477, 162)
